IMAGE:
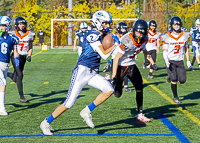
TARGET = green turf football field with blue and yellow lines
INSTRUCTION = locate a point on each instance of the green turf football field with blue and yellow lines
(46, 82)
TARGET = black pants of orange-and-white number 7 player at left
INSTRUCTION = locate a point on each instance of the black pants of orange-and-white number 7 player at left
(17, 76)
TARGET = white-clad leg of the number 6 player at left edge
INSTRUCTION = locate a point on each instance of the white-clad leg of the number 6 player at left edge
(3, 74)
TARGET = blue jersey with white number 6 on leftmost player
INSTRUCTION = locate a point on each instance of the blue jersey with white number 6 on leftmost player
(7, 44)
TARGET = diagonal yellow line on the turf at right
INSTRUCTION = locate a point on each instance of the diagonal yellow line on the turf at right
(192, 117)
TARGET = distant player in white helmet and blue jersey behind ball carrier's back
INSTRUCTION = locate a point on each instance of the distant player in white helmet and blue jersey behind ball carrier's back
(80, 35)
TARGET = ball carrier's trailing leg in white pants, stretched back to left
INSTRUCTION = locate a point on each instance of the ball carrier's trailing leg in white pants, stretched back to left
(78, 81)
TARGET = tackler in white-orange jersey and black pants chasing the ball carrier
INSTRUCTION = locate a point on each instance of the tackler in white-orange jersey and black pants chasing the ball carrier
(124, 64)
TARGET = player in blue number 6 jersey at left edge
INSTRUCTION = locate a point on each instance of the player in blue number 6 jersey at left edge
(8, 43)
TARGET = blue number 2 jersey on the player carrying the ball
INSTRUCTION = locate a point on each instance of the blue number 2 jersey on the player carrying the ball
(89, 57)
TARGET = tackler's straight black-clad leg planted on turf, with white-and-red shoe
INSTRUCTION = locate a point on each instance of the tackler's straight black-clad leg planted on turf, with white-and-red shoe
(136, 79)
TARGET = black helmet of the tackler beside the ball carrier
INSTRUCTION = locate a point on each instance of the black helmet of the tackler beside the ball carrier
(140, 26)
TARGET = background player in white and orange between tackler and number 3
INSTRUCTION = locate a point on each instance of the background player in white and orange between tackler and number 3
(153, 44)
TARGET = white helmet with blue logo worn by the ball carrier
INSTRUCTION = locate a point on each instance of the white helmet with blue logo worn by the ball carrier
(100, 17)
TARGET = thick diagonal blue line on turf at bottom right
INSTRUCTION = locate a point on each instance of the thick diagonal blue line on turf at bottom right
(173, 129)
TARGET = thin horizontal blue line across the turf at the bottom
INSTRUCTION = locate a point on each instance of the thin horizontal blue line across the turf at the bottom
(41, 135)
